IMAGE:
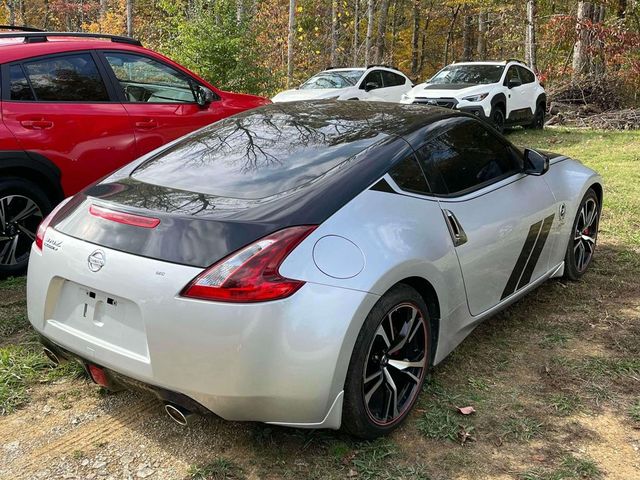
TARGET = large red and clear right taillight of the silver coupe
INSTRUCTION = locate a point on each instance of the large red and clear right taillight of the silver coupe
(251, 274)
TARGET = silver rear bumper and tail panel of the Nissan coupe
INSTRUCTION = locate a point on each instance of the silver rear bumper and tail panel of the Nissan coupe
(281, 362)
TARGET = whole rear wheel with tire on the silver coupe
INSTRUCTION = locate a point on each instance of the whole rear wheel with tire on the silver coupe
(391, 353)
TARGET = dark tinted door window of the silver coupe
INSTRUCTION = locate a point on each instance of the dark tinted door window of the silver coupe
(466, 157)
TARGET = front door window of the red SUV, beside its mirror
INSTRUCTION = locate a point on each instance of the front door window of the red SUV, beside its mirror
(146, 80)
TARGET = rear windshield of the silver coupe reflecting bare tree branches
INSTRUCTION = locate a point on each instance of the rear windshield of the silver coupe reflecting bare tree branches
(259, 153)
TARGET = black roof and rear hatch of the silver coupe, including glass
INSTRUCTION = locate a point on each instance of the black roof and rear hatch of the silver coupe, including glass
(249, 175)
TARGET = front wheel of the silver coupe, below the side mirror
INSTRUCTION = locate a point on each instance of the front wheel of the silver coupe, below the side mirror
(584, 235)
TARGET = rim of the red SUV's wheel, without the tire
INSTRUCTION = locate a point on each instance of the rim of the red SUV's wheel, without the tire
(19, 220)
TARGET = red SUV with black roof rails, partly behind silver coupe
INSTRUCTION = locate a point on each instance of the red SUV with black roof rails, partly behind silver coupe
(74, 108)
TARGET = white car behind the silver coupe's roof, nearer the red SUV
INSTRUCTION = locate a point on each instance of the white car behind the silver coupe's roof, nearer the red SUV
(376, 82)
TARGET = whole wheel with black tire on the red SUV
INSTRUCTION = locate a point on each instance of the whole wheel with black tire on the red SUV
(23, 205)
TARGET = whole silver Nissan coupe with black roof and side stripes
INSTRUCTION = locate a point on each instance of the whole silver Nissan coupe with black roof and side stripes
(304, 264)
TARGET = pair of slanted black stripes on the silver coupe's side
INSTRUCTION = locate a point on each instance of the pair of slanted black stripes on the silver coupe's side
(528, 258)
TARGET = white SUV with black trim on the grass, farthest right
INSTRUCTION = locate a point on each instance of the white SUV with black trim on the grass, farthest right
(504, 93)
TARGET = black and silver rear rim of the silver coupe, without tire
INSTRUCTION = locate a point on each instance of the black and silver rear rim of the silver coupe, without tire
(395, 364)
